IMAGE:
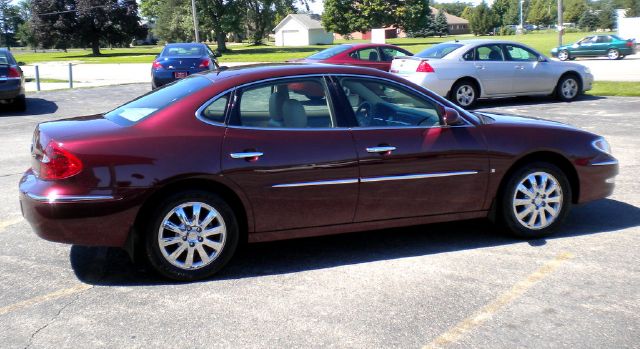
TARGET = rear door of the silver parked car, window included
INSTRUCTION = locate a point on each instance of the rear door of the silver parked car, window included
(493, 71)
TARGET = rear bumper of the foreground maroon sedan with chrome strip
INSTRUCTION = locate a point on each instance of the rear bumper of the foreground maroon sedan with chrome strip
(95, 218)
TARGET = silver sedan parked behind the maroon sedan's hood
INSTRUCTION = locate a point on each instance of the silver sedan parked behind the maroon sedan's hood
(464, 71)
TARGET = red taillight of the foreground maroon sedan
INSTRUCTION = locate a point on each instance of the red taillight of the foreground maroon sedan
(58, 163)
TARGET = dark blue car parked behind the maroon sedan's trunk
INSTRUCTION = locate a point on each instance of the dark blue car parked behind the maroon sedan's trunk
(179, 60)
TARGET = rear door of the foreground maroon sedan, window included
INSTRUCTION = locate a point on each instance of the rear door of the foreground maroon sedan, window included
(288, 152)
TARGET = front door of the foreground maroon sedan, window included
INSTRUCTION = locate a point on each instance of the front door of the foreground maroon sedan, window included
(410, 165)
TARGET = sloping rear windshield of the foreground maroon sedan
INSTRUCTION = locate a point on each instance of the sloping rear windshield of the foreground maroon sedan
(149, 103)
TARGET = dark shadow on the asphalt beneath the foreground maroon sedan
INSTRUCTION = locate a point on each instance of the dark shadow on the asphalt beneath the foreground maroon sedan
(112, 267)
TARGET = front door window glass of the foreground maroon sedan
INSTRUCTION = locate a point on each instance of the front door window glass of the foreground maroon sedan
(382, 104)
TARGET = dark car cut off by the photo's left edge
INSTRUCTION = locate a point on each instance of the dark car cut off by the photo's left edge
(11, 81)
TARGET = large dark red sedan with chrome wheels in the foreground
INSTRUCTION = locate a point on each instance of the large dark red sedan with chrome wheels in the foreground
(187, 172)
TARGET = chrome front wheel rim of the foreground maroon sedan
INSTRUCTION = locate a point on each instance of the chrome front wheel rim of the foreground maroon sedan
(537, 200)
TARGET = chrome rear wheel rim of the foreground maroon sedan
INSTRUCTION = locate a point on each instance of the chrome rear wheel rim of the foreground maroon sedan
(192, 235)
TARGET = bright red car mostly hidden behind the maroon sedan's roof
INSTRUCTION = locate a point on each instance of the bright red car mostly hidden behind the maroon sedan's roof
(378, 56)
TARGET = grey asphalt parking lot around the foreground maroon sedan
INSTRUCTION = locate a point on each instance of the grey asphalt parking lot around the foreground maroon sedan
(446, 285)
